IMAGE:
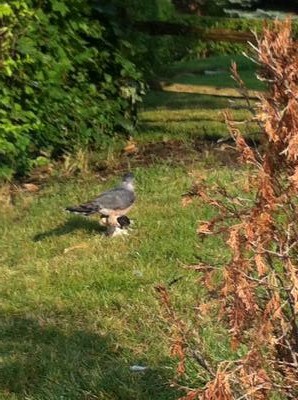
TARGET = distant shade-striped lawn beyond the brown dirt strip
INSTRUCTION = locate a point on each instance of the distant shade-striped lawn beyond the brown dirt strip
(187, 116)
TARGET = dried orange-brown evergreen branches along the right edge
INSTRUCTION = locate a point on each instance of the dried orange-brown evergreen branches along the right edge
(258, 293)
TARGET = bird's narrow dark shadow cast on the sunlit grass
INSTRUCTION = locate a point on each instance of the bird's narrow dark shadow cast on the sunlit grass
(74, 223)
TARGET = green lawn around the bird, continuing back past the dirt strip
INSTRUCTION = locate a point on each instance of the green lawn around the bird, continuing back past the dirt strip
(79, 309)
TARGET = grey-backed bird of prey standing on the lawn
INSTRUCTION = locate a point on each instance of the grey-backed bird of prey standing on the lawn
(113, 205)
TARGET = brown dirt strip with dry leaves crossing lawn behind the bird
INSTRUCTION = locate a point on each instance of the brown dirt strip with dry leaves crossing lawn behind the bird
(211, 153)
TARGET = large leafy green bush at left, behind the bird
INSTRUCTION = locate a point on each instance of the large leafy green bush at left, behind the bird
(66, 81)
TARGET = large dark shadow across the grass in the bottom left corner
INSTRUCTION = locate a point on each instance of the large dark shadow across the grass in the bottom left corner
(40, 361)
